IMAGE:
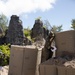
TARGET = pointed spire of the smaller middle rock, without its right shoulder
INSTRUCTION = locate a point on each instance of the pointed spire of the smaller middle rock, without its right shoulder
(37, 30)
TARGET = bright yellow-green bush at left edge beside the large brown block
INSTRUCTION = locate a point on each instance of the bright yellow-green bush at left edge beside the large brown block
(4, 54)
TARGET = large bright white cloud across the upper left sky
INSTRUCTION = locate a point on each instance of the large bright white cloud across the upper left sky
(17, 7)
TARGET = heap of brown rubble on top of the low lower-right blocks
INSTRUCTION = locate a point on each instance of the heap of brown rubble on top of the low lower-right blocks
(60, 61)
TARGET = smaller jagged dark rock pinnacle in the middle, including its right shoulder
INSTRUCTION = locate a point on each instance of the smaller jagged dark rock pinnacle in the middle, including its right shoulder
(38, 31)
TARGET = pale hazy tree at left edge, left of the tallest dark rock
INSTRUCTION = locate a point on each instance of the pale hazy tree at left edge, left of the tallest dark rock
(3, 22)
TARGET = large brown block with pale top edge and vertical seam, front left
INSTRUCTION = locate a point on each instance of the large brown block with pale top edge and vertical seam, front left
(23, 60)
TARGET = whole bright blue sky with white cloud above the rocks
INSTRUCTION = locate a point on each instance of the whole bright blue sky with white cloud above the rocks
(57, 12)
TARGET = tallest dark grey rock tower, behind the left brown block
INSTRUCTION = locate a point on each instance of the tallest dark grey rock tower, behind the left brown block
(15, 31)
